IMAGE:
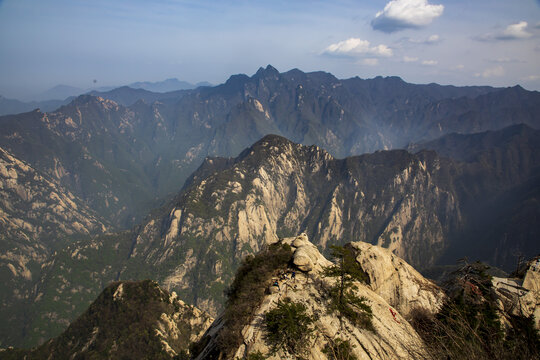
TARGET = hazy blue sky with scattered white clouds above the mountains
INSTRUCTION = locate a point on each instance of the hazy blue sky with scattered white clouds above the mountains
(117, 42)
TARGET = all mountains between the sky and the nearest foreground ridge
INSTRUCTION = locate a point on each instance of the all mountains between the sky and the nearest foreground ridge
(179, 187)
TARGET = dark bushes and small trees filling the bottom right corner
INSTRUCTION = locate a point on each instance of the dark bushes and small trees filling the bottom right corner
(468, 325)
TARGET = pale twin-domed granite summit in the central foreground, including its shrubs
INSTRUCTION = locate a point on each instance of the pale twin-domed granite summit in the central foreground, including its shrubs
(391, 295)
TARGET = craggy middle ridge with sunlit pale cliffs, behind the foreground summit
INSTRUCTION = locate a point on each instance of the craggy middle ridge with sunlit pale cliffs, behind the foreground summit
(416, 205)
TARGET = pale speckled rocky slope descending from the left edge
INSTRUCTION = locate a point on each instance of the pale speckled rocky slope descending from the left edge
(36, 214)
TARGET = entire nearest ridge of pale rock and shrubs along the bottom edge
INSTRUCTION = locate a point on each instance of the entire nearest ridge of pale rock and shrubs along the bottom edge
(284, 302)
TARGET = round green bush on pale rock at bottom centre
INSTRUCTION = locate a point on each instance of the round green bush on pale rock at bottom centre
(288, 328)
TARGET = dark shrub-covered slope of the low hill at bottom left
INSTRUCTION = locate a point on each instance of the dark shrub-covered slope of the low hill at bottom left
(122, 327)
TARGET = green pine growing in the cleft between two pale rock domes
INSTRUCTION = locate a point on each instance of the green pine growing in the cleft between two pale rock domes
(343, 299)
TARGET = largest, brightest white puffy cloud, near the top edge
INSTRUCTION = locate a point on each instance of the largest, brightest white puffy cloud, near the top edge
(402, 14)
